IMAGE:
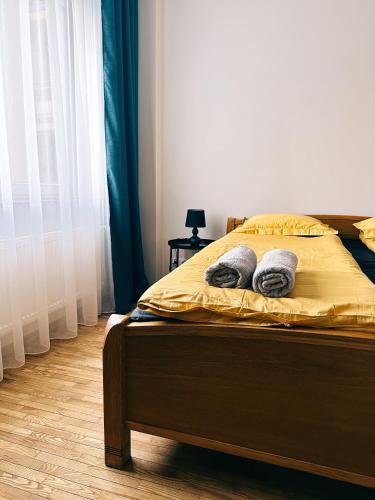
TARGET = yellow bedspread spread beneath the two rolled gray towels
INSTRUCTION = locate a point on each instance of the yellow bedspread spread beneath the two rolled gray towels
(330, 291)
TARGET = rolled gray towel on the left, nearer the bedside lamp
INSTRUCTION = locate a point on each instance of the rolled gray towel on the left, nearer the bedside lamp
(233, 269)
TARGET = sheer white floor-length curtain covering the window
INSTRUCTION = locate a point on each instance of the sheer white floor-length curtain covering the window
(55, 267)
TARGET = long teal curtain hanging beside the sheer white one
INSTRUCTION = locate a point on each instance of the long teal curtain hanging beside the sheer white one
(120, 64)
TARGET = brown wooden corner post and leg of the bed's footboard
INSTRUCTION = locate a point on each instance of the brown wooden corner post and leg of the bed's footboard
(116, 434)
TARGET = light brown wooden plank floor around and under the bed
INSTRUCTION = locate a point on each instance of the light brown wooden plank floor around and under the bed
(51, 443)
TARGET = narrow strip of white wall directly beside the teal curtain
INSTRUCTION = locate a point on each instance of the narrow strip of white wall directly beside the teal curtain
(150, 129)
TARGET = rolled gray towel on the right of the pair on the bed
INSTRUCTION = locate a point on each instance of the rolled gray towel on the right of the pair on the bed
(275, 274)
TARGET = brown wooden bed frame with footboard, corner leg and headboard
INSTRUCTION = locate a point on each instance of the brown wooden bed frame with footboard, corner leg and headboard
(297, 397)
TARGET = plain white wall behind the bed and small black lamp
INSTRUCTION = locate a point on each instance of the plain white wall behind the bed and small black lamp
(268, 105)
